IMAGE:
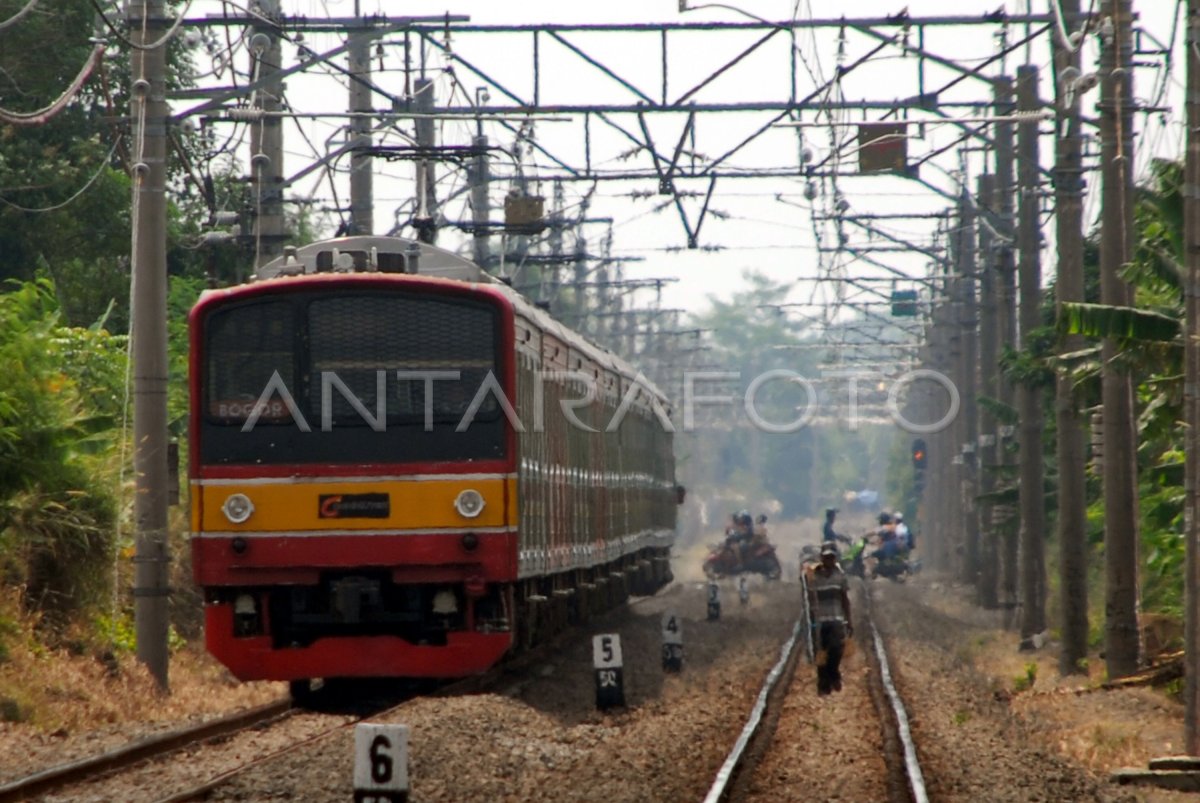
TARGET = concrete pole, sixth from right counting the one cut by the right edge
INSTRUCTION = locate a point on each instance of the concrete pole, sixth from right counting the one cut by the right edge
(989, 385)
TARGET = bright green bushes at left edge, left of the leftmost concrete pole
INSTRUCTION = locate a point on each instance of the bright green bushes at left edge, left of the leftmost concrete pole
(62, 398)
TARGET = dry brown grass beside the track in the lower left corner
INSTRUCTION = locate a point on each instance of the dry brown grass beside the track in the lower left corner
(82, 688)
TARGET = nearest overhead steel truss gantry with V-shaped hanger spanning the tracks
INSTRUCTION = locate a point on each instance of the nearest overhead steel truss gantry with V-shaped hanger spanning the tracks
(530, 95)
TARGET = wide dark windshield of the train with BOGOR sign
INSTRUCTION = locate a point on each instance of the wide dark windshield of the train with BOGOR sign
(352, 377)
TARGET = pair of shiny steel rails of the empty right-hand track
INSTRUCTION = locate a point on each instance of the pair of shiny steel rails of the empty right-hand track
(905, 780)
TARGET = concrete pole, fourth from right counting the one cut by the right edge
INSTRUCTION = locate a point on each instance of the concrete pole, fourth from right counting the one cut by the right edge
(1033, 504)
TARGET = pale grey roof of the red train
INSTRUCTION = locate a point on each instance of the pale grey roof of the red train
(393, 255)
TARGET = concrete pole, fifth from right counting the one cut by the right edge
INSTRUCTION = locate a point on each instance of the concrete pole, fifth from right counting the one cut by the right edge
(1006, 286)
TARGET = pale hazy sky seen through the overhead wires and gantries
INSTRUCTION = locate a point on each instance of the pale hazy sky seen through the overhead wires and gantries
(763, 224)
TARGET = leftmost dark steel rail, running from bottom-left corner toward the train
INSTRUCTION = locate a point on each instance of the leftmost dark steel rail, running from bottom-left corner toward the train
(80, 771)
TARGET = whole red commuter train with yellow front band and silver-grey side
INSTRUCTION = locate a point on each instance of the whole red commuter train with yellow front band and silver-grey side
(401, 468)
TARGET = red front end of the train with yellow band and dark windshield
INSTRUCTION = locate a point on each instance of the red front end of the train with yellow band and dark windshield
(329, 548)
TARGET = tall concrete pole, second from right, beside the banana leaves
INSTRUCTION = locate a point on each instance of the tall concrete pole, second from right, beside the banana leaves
(1121, 636)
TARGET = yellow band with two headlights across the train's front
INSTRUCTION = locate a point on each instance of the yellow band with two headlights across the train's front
(343, 506)
